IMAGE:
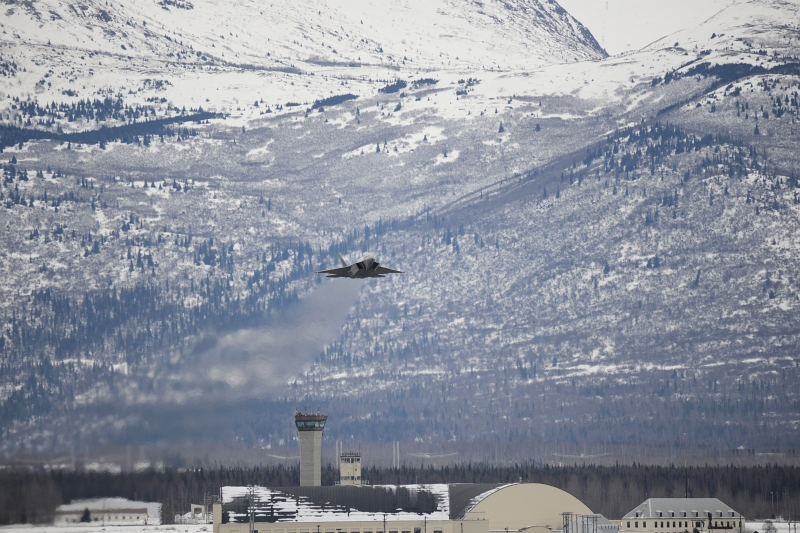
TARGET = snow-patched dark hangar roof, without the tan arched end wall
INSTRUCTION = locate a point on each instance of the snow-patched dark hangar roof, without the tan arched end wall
(354, 502)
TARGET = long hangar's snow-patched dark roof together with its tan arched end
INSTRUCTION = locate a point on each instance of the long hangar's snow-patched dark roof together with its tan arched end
(515, 506)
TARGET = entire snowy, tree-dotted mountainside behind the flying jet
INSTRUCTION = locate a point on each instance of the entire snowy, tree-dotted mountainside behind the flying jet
(597, 251)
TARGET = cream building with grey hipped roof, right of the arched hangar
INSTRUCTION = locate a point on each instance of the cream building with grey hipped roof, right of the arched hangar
(682, 515)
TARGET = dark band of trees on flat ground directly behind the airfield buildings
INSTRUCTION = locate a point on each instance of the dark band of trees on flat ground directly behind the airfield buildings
(612, 491)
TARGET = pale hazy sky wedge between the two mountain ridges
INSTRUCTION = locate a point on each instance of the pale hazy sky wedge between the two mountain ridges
(621, 25)
